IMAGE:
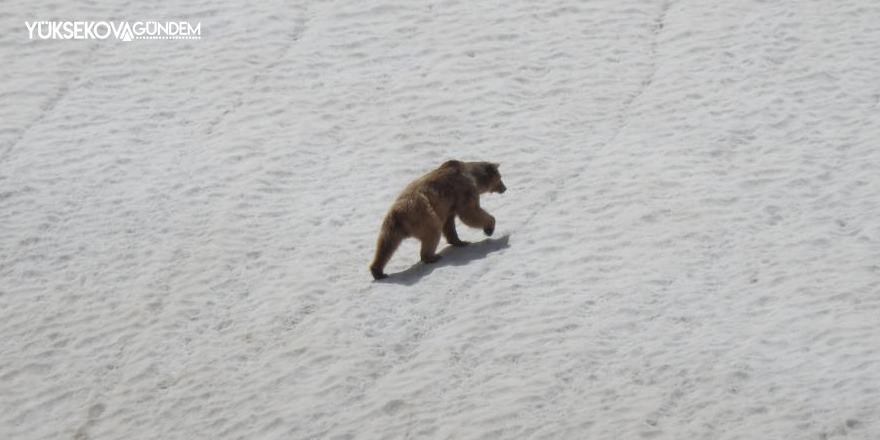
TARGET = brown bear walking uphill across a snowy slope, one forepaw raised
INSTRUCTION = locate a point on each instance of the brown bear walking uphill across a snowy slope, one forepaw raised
(427, 207)
